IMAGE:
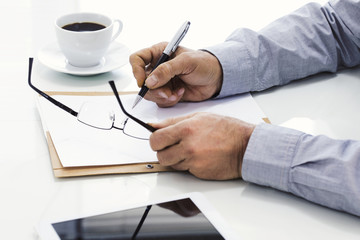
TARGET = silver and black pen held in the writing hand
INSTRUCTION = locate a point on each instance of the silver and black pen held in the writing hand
(170, 48)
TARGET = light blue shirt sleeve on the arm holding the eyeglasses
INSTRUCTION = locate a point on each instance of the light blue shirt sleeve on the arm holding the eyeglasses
(317, 168)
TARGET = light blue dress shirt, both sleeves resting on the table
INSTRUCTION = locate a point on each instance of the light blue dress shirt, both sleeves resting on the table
(310, 40)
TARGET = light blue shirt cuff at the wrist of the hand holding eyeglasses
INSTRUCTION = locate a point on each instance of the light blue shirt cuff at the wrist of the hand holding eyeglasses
(269, 155)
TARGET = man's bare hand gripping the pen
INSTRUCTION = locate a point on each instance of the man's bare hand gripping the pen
(188, 76)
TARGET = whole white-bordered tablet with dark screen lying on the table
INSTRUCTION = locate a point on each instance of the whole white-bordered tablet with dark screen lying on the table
(188, 216)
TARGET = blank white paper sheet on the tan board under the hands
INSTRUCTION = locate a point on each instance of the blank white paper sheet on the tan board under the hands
(80, 145)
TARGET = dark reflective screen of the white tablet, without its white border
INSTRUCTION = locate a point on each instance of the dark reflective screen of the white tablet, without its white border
(179, 219)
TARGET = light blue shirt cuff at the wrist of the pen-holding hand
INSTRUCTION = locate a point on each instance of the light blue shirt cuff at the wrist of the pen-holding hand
(237, 68)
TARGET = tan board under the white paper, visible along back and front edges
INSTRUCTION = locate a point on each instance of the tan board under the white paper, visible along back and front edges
(62, 172)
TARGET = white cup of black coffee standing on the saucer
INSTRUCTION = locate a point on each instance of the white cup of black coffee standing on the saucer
(86, 48)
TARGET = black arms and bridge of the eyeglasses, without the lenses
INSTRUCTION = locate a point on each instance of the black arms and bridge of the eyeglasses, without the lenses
(74, 113)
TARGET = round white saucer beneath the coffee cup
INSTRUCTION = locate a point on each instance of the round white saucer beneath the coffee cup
(116, 57)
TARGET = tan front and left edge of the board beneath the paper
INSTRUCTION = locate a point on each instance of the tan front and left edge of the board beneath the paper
(60, 171)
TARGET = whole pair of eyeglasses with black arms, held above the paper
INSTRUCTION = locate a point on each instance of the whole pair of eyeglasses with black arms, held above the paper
(97, 116)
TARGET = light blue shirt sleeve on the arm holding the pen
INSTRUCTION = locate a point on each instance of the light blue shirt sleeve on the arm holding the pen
(310, 40)
